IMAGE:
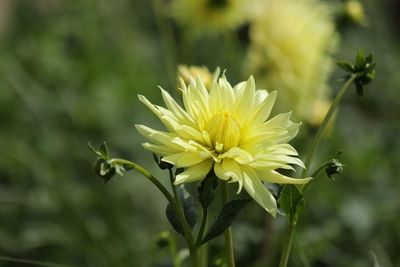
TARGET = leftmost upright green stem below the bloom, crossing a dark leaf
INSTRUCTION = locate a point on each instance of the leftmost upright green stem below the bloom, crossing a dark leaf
(186, 229)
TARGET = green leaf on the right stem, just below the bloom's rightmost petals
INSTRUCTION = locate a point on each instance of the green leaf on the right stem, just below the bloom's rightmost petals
(291, 201)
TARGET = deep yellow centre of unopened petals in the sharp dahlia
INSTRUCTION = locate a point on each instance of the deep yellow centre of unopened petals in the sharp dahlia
(224, 131)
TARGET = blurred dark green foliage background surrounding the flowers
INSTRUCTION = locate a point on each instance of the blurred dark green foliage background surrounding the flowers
(70, 72)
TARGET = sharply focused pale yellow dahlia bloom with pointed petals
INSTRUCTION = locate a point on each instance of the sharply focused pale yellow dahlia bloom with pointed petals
(226, 130)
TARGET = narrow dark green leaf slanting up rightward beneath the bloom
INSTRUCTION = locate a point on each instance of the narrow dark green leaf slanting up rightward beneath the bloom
(225, 218)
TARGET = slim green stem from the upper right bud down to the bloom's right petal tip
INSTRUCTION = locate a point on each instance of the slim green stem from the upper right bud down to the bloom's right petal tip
(325, 123)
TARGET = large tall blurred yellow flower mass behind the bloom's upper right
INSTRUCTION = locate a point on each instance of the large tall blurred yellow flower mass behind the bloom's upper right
(290, 45)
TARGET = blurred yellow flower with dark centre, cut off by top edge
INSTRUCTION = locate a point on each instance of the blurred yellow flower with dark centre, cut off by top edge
(209, 16)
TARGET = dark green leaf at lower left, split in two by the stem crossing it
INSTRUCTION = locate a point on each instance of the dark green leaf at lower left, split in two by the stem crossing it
(189, 209)
